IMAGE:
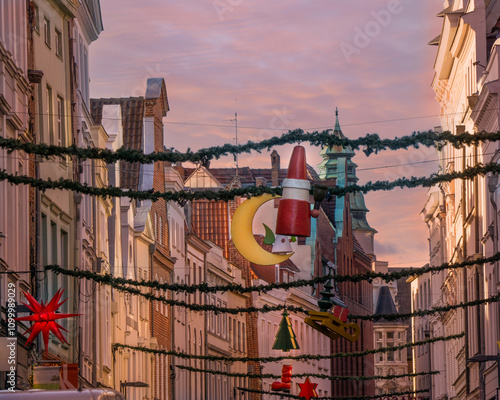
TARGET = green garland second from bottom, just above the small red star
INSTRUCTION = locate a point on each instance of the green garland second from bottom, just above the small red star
(313, 375)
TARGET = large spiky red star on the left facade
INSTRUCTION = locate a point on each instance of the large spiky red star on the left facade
(44, 316)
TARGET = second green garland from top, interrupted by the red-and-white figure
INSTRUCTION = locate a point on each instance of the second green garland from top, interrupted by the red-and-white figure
(226, 195)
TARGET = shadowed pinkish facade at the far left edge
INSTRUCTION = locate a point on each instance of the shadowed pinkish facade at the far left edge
(15, 241)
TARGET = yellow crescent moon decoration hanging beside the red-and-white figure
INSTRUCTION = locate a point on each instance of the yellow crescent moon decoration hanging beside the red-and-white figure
(242, 234)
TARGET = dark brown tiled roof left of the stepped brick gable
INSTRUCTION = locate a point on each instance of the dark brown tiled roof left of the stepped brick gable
(132, 121)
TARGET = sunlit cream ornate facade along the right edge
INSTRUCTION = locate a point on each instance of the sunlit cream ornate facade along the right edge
(462, 216)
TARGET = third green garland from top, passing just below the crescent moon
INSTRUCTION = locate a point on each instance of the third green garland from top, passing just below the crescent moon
(205, 288)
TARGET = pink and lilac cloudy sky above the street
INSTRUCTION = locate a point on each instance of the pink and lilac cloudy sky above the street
(287, 65)
